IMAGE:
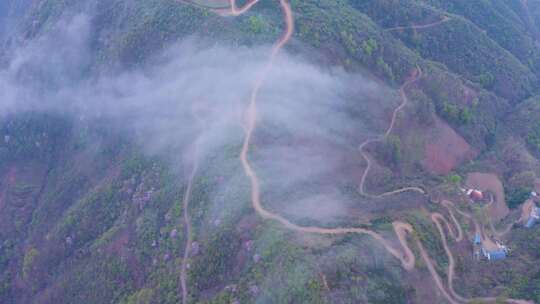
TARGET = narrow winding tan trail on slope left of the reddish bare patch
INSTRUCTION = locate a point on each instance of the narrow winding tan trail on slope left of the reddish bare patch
(404, 101)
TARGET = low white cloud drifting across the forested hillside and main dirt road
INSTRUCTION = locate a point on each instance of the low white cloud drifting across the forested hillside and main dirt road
(309, 122)
